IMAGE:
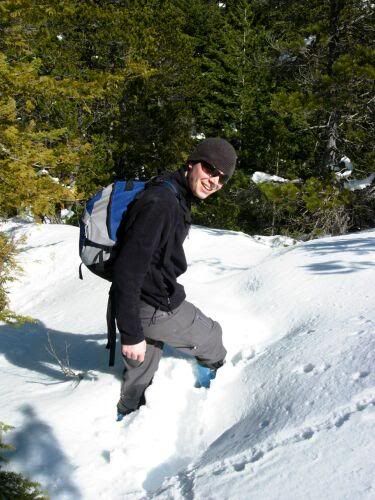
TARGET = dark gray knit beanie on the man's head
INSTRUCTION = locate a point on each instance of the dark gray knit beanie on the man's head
(216, 152)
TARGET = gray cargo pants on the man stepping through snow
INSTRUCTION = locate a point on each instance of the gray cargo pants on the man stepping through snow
(185, 328)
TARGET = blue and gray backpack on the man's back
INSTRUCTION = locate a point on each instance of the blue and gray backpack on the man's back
(100, 222)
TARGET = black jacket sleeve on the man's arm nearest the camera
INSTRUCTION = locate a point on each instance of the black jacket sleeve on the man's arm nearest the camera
(142, 239)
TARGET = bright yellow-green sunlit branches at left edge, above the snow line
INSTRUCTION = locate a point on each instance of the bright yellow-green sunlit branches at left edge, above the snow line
(30, 153)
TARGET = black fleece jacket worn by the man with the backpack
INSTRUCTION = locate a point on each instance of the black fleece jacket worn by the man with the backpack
(151, 255)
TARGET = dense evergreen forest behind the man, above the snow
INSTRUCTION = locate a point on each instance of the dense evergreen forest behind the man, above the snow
(93, 90)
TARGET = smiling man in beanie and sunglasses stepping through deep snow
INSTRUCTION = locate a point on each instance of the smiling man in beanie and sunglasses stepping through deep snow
(150, 305)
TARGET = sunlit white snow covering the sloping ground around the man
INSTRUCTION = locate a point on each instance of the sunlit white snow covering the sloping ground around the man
(290, 415)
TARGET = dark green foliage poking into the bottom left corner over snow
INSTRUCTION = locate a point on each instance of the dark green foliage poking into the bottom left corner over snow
(15, 486)
